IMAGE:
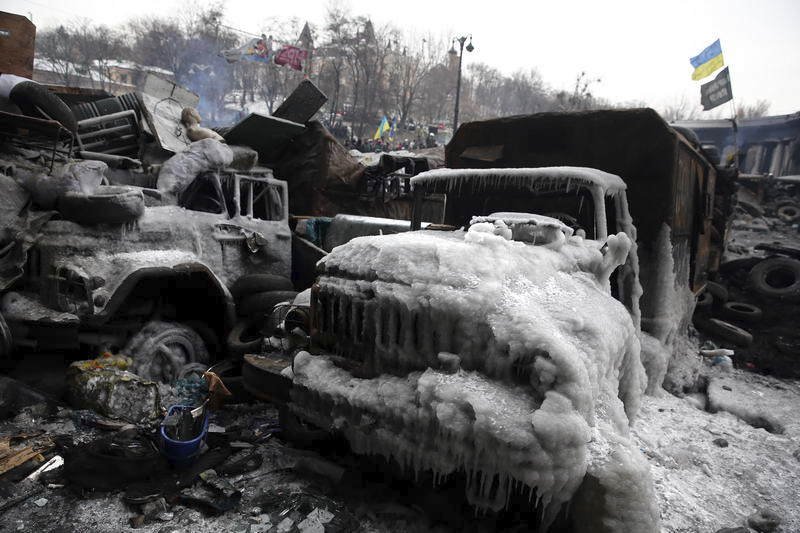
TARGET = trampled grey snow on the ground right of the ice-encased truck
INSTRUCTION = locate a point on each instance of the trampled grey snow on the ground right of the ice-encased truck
(702, 486)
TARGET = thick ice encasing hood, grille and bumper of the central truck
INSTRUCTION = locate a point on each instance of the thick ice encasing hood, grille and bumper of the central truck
(549, 373)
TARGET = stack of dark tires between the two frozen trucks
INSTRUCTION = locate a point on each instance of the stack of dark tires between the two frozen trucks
(256, 296)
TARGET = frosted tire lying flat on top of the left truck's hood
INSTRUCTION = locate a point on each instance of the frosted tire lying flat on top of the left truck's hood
(108, 205)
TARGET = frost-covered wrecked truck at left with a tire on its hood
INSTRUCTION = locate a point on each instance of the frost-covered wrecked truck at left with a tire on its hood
(129, 269)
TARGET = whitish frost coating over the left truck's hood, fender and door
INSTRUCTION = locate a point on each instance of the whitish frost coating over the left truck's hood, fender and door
(164, 237)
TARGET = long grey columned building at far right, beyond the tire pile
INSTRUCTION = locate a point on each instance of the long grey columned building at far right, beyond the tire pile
(767, 145)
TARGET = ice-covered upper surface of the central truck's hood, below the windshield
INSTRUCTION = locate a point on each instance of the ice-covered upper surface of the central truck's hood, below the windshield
(466, 259)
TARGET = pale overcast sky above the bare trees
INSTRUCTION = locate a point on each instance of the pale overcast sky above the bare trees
(639, 49)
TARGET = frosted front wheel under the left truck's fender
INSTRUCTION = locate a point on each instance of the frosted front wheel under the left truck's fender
(161, 349)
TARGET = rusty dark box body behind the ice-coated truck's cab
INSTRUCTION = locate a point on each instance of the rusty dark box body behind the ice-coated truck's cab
(671, 190)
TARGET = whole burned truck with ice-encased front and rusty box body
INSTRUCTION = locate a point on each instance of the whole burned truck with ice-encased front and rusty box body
(503, 341)
